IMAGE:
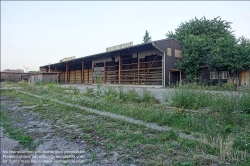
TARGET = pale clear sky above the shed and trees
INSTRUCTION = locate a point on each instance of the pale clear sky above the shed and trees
(36, 33)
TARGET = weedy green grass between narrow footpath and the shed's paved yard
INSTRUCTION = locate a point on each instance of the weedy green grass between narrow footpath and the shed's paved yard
(228, 111)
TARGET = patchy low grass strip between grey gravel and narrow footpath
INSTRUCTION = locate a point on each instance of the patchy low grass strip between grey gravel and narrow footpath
(135, 143)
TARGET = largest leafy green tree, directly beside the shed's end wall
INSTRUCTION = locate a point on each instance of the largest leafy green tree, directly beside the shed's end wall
(198, 38)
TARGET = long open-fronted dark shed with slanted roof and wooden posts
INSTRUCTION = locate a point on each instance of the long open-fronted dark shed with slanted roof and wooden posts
(152, 63)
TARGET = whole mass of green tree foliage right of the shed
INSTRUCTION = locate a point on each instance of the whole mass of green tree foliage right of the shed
(210, 42)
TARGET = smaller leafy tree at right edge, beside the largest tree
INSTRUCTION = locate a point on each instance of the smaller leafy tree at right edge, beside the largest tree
(230, 54)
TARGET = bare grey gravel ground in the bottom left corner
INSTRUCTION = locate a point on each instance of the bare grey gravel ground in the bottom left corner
(49, 137)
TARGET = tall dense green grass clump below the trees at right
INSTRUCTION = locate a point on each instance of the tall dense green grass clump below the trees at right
(187, 96)
